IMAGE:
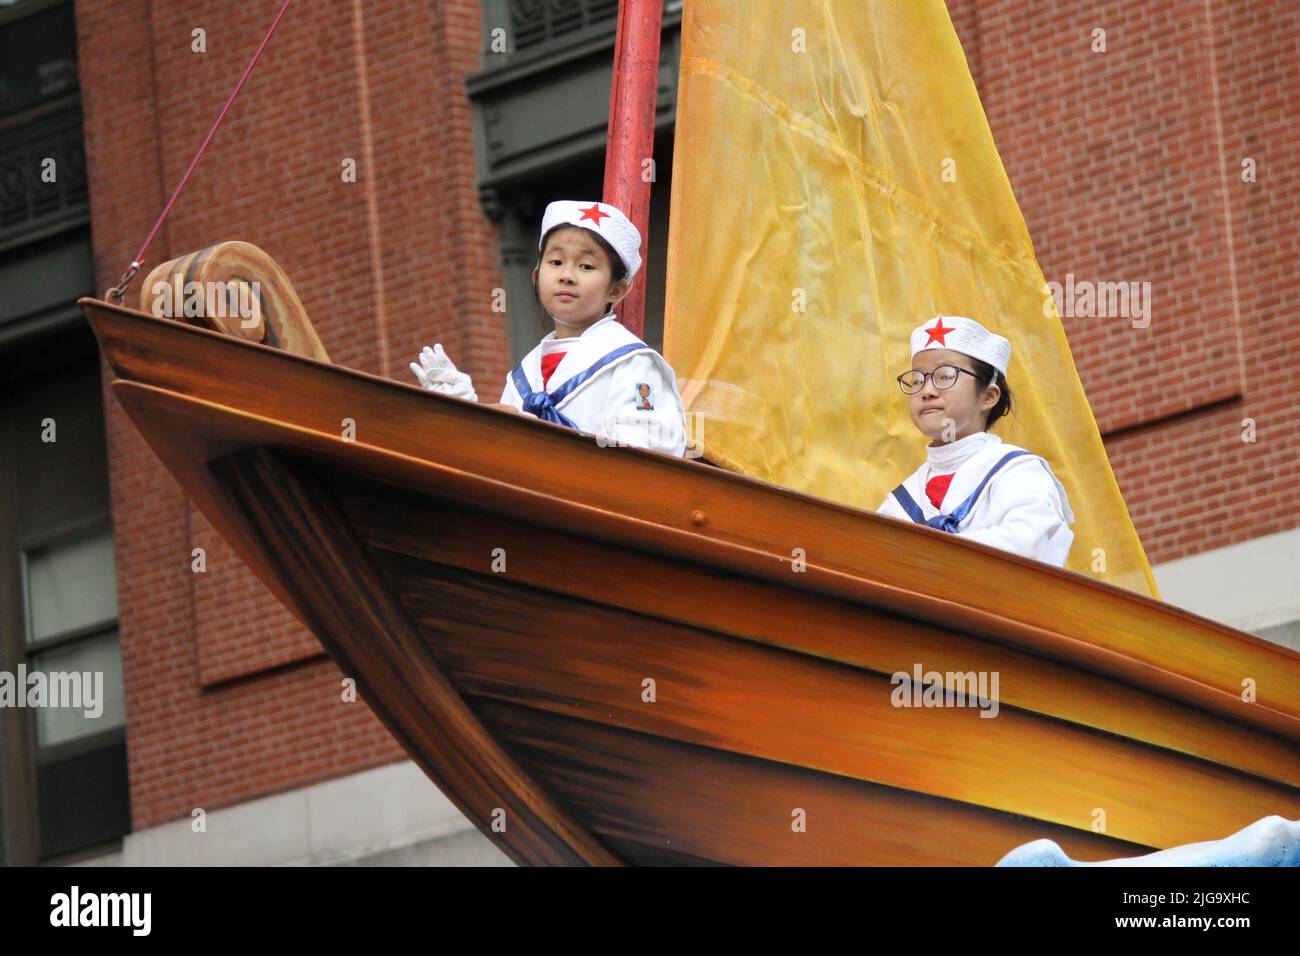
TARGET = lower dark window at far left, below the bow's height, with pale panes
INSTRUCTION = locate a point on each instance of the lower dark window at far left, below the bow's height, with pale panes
(66, 763)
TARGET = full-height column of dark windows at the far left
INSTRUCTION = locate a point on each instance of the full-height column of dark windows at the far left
(63, 772)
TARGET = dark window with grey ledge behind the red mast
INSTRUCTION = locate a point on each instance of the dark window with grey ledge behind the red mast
(541, 133)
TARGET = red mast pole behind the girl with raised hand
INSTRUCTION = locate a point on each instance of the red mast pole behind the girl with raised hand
(631, 139)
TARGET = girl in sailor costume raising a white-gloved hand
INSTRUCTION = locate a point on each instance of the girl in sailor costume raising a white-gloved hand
(591, 374)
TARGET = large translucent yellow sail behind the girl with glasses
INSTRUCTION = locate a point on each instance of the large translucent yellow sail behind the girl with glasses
(835, 185)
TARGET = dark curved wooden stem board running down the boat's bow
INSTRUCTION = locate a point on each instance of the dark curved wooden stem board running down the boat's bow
(352, 611)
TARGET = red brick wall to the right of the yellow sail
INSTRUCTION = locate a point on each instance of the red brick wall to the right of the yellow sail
(1128, 168)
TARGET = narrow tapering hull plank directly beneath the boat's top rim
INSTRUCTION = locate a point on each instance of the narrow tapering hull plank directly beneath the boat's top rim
(397, 524)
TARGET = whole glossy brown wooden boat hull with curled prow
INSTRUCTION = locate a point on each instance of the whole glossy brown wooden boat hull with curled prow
(612, 656)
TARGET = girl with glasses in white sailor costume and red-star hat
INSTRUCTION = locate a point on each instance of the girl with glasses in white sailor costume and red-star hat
(974, 485)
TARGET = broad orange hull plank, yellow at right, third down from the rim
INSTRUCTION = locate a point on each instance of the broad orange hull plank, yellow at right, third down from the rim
(562, 656)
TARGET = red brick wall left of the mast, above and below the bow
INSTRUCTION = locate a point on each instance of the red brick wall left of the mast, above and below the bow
(229, 698)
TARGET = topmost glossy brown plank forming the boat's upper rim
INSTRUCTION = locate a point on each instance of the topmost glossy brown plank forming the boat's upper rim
(560, 479)
